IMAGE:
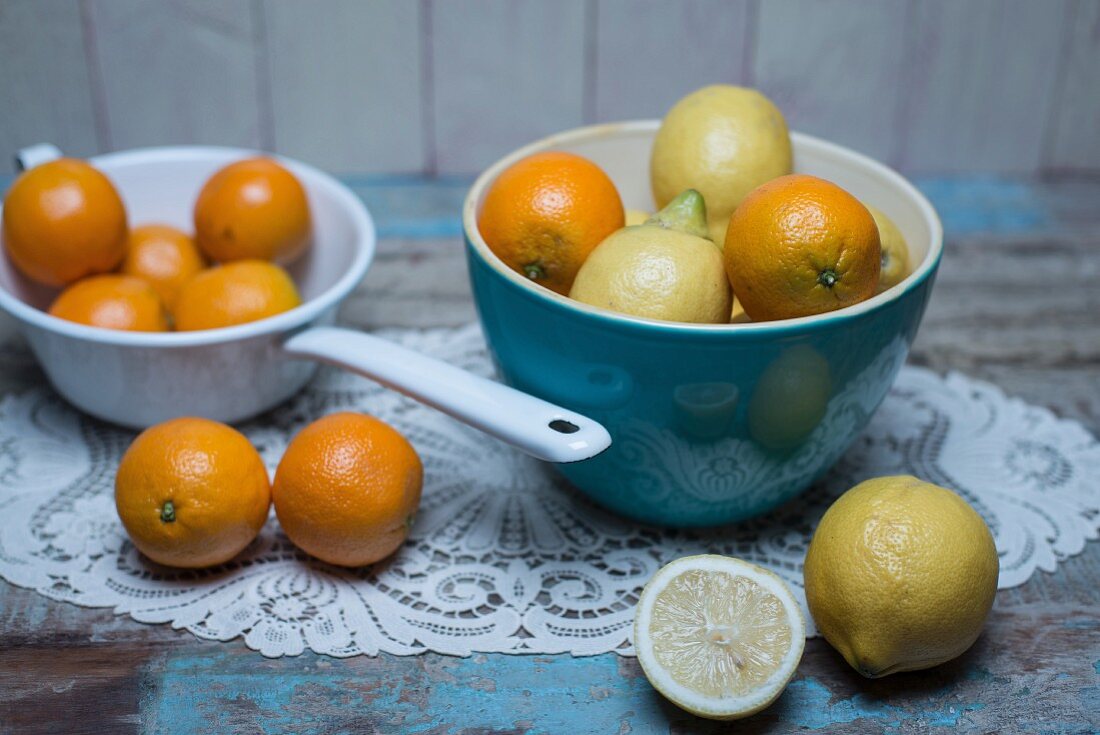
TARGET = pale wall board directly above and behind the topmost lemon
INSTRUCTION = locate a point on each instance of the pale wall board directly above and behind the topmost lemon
(651, 53)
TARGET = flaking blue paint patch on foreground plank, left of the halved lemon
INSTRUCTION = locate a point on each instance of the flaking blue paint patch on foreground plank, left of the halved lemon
(500, 694)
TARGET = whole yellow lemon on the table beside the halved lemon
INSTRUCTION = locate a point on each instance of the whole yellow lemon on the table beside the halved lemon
(900, 576)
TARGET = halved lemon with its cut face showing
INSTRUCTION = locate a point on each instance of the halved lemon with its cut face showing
(718, 637)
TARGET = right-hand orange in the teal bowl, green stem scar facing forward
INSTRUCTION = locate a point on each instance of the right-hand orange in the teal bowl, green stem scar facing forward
(799, 246)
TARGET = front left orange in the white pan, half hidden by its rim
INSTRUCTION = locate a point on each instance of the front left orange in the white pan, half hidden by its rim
(113, 302)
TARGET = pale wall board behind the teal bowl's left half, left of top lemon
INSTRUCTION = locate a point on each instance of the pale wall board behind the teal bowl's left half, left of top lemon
(504, 74)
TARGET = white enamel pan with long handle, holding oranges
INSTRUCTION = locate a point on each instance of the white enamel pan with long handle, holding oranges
(140, 379)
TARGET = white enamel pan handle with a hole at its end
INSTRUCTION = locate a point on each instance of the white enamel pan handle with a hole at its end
(540, 429)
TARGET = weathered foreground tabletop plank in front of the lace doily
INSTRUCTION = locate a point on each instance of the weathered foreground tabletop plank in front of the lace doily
(1026, 674)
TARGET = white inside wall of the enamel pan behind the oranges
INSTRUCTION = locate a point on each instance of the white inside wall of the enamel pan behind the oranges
(161, 187)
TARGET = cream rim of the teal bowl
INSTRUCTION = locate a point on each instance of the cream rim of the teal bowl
(822, 147)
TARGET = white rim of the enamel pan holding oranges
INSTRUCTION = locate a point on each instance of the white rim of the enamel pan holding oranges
(288, 321)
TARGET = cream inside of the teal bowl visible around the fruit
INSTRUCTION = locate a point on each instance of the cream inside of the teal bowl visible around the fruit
(623, 151)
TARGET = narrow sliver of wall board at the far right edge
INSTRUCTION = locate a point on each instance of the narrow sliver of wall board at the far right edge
(1076, 123)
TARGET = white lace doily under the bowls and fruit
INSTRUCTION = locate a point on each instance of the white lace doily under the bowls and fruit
(504, 555)
